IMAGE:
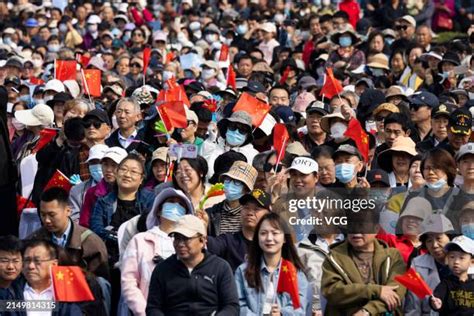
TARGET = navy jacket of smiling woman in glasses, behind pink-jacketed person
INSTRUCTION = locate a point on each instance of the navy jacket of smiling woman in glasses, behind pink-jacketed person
(105, 207)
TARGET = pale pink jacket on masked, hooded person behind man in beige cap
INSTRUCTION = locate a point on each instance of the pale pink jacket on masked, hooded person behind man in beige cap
(137, 266)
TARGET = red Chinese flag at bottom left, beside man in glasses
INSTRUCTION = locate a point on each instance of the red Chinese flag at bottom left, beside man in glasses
(70, 285)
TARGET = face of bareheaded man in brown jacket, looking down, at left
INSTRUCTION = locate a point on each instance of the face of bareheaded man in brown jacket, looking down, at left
(55, 216)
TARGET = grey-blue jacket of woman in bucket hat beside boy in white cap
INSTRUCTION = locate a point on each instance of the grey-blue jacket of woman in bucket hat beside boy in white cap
(426, 267)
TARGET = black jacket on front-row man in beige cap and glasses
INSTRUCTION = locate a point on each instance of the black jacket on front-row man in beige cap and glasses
(209, 288)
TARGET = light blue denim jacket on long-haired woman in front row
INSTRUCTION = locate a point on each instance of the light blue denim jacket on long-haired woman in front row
(251, 301)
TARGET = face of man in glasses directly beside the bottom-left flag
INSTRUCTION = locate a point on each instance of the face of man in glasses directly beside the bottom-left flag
(36, 265)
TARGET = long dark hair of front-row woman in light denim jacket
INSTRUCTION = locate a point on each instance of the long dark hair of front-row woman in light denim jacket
(255, 253)
